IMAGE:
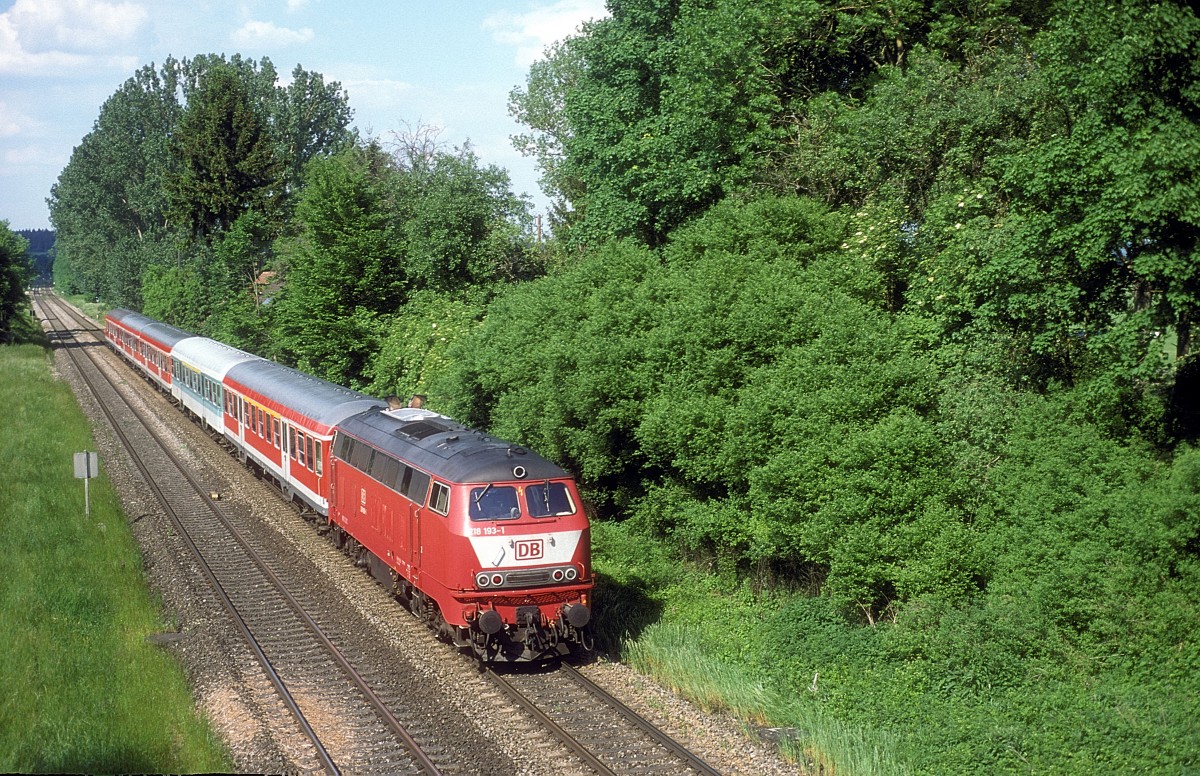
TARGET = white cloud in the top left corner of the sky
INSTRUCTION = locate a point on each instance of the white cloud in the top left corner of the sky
(46, 38)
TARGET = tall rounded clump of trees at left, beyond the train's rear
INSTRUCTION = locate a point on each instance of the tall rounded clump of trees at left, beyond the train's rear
(112, 204)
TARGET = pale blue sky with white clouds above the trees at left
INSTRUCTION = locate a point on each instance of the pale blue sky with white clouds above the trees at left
(404, 64)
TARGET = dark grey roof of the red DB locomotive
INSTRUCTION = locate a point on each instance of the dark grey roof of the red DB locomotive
(446, 448)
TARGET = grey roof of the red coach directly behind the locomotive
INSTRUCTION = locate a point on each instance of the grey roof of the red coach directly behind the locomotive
(310, 396)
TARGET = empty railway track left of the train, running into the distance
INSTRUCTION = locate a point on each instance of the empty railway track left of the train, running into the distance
(304, 665)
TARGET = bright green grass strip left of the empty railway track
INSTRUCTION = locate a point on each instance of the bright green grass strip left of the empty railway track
(83, 691)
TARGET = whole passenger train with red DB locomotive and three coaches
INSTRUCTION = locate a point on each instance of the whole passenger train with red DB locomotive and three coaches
(487, 542)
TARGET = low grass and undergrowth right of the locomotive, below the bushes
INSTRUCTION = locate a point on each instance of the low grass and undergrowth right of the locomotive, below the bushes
(945, 691)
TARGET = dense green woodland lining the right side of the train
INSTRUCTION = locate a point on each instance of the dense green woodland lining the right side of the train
(879, 312)
